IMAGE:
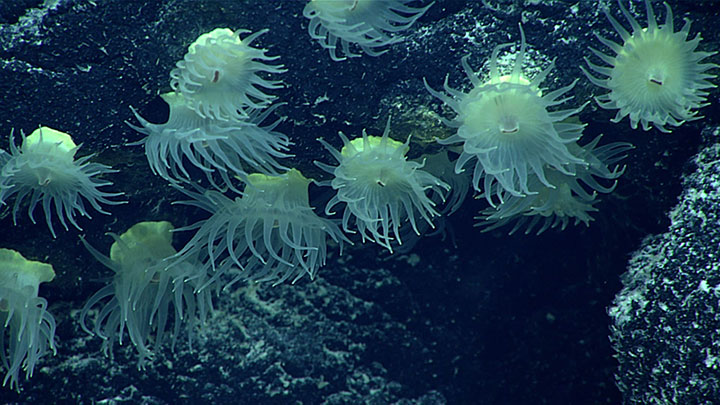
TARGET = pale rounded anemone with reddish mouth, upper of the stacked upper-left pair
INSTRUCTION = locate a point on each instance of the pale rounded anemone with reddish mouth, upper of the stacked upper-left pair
(219, 75)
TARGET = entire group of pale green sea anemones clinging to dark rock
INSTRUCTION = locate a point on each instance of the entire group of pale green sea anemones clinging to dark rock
(523, 142)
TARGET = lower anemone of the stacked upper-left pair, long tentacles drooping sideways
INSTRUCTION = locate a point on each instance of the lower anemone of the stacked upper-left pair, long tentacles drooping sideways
(226, 148)
